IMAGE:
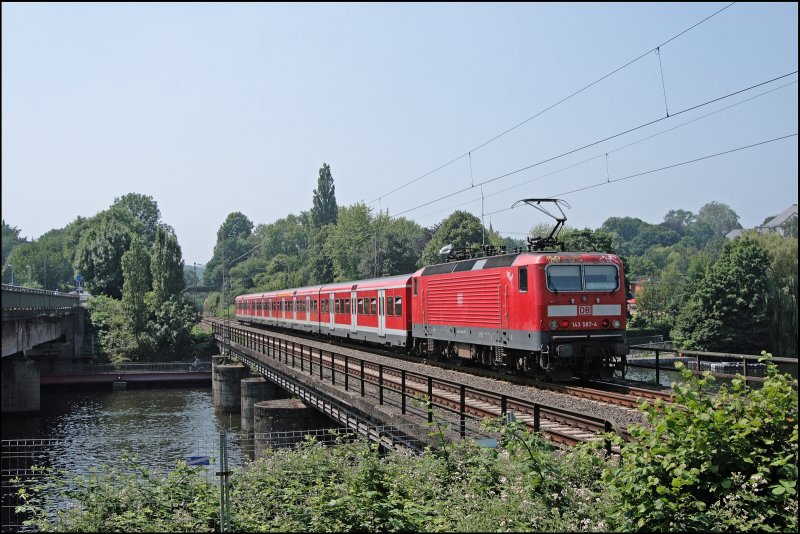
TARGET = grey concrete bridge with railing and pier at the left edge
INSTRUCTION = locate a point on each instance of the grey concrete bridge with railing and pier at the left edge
(37, 324)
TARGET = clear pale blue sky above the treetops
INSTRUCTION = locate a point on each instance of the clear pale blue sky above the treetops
(216, 108)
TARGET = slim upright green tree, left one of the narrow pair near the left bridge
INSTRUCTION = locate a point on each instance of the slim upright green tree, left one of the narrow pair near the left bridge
(136, 286)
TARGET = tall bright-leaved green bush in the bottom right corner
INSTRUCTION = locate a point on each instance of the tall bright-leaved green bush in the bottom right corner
(711, 462)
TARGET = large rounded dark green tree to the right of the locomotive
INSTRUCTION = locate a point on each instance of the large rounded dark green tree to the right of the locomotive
(727, 311)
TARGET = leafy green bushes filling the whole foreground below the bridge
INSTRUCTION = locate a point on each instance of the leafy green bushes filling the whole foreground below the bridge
(722, 461)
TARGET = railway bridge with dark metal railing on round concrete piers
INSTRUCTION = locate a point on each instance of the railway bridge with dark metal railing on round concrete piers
(414, 410)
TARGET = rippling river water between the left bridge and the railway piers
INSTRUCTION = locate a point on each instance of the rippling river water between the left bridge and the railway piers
(99, 427)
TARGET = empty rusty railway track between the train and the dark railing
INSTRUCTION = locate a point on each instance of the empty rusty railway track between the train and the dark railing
(396, 387)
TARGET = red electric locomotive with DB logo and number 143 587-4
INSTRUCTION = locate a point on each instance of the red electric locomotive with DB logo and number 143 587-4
(548, 313)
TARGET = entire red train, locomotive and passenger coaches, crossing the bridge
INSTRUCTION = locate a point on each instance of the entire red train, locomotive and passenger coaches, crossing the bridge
(552, 314)
